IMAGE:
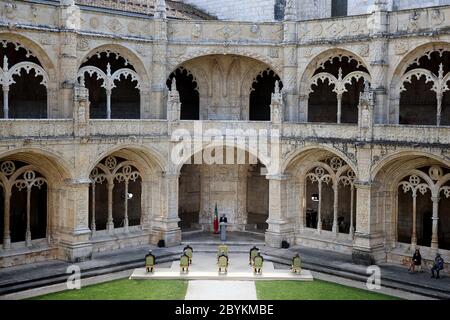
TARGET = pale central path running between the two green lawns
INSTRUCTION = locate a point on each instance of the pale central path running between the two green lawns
(221, 290)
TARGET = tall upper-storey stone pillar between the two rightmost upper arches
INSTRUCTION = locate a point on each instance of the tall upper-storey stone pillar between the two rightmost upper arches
(379, 60)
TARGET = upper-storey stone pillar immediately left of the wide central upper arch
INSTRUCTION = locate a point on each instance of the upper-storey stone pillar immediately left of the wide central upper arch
(159, 63)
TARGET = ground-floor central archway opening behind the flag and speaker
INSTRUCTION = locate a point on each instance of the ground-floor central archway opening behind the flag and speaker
(240, 191)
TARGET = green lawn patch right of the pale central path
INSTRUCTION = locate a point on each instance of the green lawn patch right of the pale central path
(314, 290)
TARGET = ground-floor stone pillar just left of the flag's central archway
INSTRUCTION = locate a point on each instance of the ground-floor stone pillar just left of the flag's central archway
(166, 226)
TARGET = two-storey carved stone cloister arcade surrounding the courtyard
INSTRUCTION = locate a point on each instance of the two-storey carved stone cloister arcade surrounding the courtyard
(87, 134)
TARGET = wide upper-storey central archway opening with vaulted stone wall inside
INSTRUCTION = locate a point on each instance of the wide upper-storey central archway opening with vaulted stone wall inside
(224, 87)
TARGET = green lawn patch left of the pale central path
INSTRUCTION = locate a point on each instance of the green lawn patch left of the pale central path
(125, 289)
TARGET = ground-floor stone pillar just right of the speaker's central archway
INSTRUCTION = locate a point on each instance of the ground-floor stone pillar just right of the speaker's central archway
(280, 228)
